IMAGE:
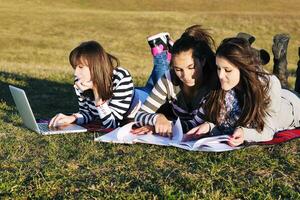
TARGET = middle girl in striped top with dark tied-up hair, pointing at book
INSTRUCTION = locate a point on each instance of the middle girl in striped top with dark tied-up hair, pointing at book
(192, 74)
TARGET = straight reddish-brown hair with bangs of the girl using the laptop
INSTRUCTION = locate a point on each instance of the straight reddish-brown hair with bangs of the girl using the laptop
(100, 63)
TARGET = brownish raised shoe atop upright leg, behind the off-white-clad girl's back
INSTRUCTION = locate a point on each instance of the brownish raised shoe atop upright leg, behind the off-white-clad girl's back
(280, 44)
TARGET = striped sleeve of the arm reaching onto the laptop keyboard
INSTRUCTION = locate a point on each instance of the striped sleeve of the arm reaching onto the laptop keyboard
(84, 115)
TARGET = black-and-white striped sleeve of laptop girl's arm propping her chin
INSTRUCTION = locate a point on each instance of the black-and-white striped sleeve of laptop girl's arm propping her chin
(112, 112)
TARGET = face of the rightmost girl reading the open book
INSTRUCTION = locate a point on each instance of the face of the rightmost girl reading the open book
(229, 74)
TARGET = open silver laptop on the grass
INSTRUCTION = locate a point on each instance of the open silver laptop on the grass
(29, 121)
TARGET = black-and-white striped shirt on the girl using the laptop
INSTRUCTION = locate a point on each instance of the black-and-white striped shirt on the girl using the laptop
(112, 112)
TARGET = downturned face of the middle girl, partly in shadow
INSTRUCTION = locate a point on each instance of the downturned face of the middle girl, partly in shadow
(184, 67)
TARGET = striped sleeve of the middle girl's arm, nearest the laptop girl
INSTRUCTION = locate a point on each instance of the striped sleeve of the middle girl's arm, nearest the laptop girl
(158, 96)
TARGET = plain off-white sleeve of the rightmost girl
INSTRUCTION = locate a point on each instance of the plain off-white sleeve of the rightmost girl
(252, 135)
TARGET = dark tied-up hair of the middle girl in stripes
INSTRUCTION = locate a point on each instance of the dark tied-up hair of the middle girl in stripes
(201, 43)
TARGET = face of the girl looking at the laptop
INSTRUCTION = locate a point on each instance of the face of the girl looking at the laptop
(82, 71)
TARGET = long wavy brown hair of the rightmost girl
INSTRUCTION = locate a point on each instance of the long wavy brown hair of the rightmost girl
(252, 89)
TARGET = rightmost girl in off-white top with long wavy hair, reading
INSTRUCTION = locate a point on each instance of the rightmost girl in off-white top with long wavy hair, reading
(249, 103)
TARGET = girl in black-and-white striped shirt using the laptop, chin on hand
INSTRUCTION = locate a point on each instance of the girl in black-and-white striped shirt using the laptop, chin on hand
(103, 88)
